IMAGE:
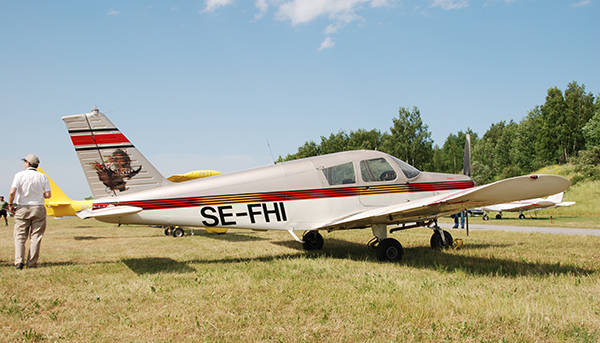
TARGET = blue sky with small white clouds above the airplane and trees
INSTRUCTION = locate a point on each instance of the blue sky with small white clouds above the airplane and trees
(229, 85)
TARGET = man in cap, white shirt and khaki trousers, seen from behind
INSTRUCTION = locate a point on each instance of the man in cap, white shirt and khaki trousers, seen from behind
(29, 188)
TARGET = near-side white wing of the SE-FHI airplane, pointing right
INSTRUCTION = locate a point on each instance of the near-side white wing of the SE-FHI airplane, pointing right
(513, 189)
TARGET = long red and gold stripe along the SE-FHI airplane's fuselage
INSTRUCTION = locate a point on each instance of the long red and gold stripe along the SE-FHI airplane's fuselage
(309, 194)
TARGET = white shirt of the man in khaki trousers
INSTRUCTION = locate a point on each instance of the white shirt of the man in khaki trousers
(31, 186)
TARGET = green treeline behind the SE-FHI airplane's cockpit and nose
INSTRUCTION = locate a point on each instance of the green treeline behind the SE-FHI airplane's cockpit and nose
(565, 129)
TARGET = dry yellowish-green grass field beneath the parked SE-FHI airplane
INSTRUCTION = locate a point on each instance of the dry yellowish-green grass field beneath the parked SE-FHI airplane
(101, 283)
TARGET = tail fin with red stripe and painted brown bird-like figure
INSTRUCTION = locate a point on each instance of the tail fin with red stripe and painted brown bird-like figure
(111, 164)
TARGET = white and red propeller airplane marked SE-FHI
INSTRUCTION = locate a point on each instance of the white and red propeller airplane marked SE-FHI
(340, 191)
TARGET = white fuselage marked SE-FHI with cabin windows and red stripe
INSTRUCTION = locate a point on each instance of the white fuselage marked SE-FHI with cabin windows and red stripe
(298, 195)
